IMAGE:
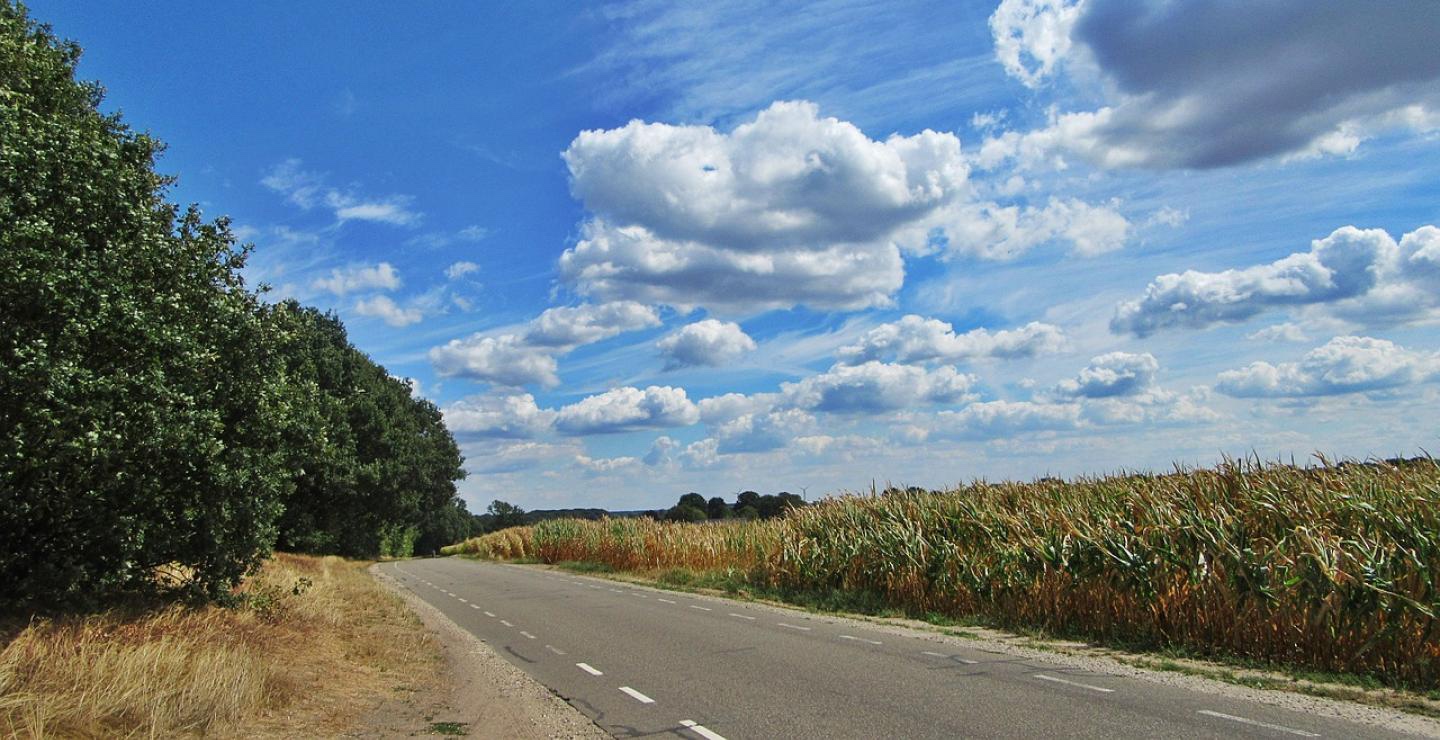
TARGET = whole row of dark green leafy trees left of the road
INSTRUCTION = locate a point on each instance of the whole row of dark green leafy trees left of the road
(162, 425)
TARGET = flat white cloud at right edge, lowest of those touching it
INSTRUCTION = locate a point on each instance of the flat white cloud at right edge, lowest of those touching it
(1344, 365)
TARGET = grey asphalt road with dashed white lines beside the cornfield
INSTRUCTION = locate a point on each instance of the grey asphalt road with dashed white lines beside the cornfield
(642, 663)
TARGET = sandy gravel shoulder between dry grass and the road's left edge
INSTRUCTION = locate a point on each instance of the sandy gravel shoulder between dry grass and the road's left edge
(480, 695)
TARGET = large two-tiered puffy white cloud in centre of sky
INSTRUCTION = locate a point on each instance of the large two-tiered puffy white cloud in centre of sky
(786, 209)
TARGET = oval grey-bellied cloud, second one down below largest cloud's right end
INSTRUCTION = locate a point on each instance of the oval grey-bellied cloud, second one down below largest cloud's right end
(878, 388)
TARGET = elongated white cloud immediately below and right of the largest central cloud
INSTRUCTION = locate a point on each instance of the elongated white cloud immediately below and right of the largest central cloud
(922, 340)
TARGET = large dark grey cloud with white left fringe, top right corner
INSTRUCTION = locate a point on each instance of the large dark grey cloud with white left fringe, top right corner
(1203, 86)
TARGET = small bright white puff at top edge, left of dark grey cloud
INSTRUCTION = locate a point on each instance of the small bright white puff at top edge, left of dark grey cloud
(1033, 37)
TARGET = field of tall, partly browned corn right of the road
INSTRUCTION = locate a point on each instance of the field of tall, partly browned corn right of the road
(1330, 568)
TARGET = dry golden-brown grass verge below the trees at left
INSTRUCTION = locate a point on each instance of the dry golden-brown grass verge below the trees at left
(316, 647)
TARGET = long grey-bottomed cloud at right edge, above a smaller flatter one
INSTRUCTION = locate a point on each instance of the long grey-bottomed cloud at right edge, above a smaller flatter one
(1362, 276)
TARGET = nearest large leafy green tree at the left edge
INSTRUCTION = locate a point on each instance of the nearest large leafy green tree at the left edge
(143, 404)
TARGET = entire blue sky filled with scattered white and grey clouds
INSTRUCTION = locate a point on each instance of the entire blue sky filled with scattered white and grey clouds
(636, 250)
